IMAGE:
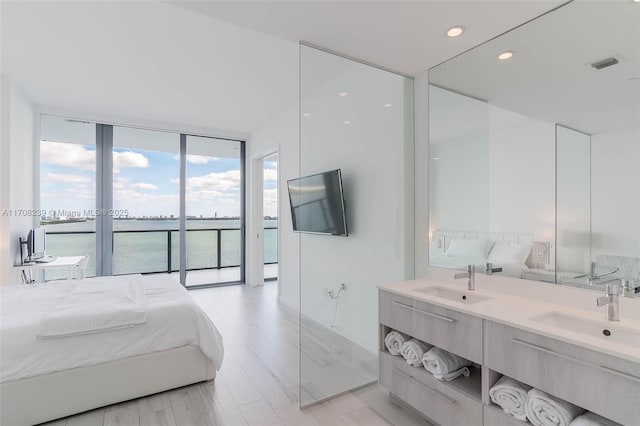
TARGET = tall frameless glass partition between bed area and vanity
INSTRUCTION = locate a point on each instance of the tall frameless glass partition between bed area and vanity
(358, 119)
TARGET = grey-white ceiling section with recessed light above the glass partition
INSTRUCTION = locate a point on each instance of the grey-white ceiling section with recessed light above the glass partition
(405, 36)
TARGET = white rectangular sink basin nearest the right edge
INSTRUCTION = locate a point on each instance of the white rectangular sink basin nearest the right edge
(605, 331)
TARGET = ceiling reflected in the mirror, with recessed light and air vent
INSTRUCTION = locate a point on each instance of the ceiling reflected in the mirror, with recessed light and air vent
(550, 77)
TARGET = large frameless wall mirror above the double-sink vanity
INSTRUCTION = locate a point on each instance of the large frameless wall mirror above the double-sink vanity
(534, 161)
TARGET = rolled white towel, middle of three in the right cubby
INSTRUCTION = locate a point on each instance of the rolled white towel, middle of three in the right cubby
(546, 410)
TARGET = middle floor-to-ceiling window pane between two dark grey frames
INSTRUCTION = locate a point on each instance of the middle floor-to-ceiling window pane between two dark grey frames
(146, 200)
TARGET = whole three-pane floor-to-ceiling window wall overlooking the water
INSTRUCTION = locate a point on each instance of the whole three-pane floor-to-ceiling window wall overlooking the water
(119, 194)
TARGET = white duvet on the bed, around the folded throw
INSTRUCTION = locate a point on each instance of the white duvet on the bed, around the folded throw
(172, 320)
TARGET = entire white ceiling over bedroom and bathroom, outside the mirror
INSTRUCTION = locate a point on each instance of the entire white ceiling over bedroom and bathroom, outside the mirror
(230, 65)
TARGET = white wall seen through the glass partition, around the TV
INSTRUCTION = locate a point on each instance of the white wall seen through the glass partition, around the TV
(377, 170)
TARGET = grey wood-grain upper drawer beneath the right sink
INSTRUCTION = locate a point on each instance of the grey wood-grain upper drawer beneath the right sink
(597, 382)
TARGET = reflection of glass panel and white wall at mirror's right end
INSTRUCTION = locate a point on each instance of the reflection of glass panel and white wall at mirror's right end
(598, 184)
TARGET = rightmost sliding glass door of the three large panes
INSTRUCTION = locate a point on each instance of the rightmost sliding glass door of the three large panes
(214, 210)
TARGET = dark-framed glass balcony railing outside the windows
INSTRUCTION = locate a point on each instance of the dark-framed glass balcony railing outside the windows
(157, 250)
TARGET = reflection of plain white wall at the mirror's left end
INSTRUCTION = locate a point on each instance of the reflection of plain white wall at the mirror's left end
(459, 179)
